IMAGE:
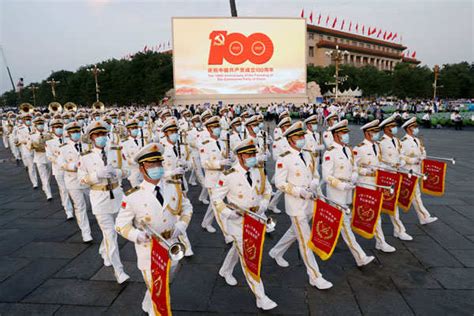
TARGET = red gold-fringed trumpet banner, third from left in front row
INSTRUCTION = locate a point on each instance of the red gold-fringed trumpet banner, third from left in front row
(327, 222)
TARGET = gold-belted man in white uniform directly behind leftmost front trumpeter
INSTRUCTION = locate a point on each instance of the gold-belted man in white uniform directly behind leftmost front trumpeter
(102, 170)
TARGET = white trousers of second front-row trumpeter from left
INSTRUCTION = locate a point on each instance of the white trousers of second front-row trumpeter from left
(235, 253)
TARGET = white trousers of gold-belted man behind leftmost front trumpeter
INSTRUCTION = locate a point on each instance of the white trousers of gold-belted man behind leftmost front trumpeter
(109, 249)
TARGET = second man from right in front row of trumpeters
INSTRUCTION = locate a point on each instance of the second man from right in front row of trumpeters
(390, 148)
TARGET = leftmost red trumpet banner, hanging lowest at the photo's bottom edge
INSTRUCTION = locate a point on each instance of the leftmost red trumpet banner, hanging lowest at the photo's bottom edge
(160, 267)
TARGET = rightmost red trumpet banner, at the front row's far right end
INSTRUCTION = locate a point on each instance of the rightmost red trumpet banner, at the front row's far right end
(436, 175)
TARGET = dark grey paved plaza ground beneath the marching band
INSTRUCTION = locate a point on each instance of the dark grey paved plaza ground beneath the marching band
(45, 268)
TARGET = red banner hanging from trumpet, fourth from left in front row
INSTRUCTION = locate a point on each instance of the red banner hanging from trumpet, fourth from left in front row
(367, 204)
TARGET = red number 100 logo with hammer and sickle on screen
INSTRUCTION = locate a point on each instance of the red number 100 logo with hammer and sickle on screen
(237, 48)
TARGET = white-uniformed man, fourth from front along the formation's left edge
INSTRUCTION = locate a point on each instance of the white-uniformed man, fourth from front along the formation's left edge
(52, 153)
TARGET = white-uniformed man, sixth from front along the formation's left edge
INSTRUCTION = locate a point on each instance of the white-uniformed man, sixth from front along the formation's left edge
(23, 135)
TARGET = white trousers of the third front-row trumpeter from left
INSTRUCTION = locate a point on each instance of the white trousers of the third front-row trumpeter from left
(300, 231)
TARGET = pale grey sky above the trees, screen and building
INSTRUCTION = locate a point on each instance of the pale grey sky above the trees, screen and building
(40, 36)
